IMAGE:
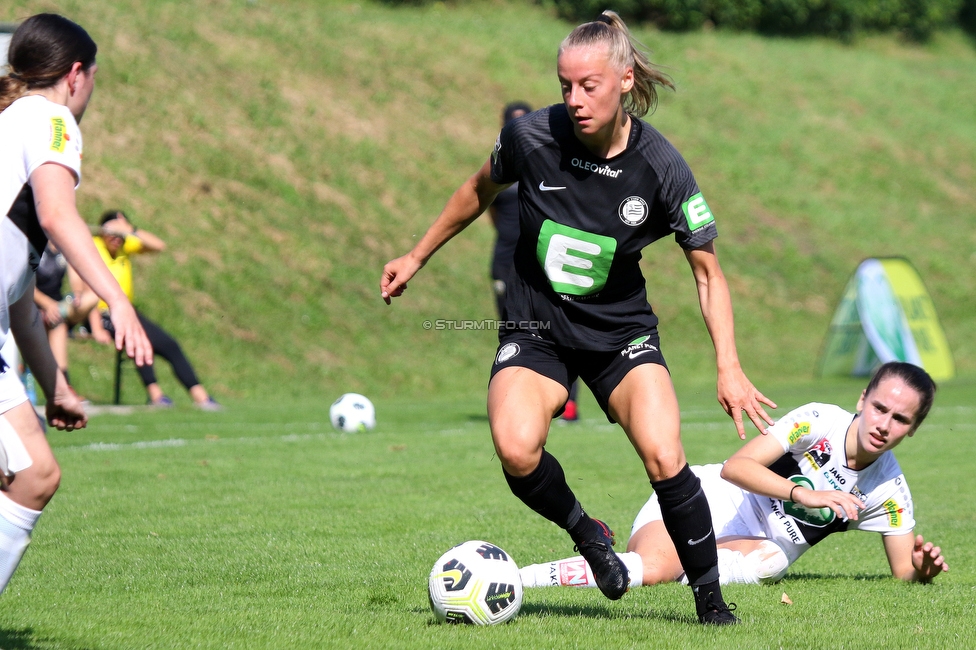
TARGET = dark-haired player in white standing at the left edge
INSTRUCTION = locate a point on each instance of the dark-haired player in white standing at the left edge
(42, 98)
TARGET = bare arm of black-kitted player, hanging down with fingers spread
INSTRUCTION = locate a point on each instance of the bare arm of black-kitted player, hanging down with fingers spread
(736, 393)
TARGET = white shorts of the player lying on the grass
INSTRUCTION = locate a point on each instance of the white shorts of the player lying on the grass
(732, 513)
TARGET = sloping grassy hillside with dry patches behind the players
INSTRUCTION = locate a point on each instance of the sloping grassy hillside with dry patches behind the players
(287, 150)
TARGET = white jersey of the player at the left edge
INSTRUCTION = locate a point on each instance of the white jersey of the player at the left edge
(33, 131)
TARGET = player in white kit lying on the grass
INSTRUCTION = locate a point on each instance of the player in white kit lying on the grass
(819, 471)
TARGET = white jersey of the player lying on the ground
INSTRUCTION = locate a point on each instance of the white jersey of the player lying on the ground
(813, 439)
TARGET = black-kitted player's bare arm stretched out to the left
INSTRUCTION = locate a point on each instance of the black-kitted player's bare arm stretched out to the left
(464, 206)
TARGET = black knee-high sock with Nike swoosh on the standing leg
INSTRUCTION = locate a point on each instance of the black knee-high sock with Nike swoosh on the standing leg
(688, 520)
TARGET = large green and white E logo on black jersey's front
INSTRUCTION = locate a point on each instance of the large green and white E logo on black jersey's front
(575, 261)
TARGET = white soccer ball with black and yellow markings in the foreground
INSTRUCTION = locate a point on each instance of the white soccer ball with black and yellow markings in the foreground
(475, 583)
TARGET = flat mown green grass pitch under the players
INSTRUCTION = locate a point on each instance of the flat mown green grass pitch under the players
(262, 527)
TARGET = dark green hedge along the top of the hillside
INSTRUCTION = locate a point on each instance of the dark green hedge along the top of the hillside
(835, 18)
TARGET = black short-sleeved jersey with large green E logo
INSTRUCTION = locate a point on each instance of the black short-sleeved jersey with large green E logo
(583, 223)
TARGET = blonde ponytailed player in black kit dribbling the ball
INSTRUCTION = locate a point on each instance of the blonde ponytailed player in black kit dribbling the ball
(597, 185)
